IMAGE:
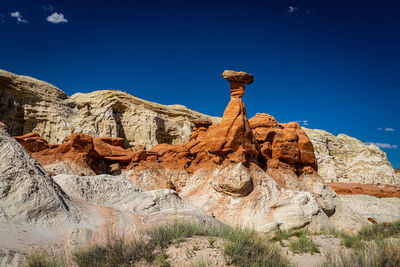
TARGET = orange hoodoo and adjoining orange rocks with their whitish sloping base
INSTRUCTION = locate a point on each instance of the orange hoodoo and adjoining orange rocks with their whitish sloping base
(224, 170)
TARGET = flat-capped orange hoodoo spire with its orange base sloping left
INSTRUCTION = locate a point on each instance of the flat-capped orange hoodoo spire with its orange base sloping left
(230, 141)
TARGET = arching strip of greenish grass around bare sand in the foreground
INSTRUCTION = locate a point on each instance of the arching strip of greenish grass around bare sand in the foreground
(242, 247)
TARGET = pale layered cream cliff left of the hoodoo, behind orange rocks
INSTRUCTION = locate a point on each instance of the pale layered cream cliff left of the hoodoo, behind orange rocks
(29, 105)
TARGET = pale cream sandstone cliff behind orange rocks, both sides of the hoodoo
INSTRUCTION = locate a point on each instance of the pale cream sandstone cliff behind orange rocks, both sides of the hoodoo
(29, 105)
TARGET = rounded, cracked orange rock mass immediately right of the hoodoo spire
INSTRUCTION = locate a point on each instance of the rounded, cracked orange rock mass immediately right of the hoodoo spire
(283, 145)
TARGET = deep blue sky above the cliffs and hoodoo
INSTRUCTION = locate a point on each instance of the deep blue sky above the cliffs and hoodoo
(333, 65)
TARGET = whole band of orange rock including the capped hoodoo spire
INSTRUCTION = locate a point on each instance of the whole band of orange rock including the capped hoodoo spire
(261, 141)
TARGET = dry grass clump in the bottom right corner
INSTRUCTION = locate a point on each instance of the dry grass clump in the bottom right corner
(375, 253)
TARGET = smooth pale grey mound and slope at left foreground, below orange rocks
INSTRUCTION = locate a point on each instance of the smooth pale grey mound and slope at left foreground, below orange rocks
(37, 212)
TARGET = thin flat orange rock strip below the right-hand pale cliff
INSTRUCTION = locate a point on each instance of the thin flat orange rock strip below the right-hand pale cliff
(366, 189)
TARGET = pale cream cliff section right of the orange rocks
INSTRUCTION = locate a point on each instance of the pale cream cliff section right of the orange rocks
(345, 159)
